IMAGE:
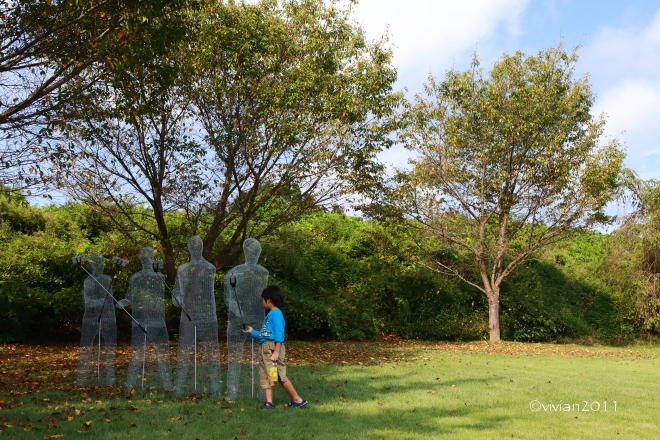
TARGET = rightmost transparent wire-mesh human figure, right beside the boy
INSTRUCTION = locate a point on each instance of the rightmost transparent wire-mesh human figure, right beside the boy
(243, 287)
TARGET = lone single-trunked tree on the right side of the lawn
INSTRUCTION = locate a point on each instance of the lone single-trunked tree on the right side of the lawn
(503, 166)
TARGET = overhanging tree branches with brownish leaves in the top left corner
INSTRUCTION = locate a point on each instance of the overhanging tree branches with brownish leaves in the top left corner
(45, 47)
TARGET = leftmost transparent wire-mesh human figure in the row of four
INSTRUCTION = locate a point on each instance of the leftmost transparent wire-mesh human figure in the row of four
(99, 328)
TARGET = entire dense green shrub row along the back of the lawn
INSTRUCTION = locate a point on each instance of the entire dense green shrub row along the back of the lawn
(342, 276)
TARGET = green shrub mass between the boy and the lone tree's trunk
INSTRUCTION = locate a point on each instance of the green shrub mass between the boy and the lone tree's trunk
(342, 281)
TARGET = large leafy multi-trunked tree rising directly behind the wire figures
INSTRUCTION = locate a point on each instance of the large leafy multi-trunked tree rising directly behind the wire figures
(266, 112)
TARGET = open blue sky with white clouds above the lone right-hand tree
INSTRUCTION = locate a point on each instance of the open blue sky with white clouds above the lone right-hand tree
(619, 50)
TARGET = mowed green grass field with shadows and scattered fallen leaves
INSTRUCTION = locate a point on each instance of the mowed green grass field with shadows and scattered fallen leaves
(383, 390)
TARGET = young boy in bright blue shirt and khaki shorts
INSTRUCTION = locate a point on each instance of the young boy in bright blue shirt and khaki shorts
(271, 347)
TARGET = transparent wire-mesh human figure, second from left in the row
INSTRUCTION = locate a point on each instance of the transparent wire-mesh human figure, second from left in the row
(145, 295)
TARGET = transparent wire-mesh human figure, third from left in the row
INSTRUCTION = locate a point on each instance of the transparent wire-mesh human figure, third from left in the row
(198, 355)
